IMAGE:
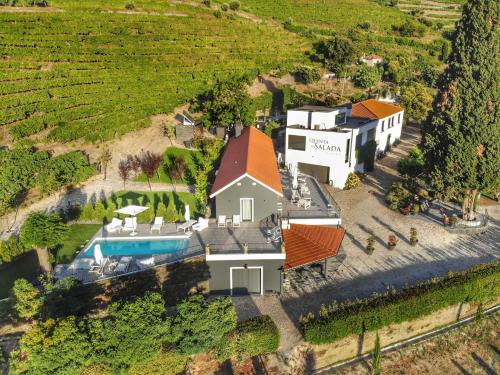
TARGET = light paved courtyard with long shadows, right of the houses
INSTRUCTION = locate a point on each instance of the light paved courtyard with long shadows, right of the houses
(364, 213)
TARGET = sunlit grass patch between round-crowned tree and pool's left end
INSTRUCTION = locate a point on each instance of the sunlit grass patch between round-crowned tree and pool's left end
(78, 235)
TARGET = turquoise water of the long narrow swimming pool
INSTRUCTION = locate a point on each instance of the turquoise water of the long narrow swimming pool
(138, 247)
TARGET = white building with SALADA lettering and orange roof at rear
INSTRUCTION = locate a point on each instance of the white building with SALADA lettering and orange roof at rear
(322, 141)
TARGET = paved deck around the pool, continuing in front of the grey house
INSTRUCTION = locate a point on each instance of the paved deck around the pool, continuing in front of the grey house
(225, 240)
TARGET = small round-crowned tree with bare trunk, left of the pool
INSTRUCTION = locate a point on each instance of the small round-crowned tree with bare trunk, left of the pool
(41, 231)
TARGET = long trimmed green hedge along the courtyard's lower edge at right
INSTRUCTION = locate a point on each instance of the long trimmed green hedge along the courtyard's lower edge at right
(479, 284)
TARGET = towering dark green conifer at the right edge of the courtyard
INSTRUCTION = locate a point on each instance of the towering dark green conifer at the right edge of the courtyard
(461, 137)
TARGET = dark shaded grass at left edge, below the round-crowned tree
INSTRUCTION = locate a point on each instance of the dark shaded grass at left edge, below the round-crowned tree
(25, 266)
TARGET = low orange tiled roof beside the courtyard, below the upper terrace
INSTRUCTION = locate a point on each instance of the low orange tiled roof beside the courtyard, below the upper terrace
(306, 244)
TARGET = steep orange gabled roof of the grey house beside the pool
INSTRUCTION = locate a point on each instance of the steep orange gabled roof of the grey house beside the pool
(251, 154)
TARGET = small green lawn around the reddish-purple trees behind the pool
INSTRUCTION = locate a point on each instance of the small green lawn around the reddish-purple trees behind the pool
(192, 158)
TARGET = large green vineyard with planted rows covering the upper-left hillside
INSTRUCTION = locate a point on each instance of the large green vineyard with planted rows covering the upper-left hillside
(85, 70)
